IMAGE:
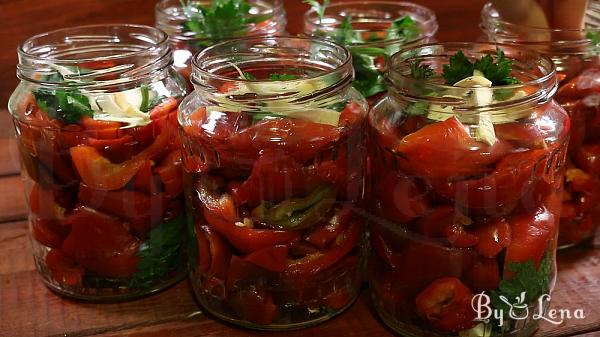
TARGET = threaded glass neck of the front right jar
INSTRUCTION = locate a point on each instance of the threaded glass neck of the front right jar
(535, 72)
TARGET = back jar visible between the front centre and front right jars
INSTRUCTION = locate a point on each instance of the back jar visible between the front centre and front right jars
(373, 31)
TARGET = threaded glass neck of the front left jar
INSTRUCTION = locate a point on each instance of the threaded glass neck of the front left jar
(95, 57)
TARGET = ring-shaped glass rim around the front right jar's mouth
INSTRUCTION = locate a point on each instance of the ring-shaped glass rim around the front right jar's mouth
(546, 83)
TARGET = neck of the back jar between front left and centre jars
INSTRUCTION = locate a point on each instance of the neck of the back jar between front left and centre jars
(191, 21)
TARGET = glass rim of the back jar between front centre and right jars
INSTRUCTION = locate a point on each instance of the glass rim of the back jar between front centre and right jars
(430, 21)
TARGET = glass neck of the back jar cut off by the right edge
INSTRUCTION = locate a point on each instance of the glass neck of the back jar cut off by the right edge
(554, 42)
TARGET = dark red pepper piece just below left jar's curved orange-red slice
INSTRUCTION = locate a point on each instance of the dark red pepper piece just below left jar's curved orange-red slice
(139, 209)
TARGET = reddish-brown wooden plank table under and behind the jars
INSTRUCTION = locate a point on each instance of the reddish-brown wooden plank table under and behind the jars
(27, 308)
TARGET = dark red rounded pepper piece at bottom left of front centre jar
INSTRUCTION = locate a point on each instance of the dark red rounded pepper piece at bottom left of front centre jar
(255, 306)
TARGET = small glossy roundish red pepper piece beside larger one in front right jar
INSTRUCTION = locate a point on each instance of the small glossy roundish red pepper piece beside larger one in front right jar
(493, 237)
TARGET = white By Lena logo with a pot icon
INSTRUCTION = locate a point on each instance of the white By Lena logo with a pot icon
(519, 310)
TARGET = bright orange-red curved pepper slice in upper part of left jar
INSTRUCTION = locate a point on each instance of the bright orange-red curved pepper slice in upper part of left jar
(98, 172)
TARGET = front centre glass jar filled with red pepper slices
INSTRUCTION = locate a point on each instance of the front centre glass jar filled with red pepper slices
(274, 157)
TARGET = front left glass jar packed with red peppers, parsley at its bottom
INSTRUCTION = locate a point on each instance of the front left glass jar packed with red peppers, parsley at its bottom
(95, 117)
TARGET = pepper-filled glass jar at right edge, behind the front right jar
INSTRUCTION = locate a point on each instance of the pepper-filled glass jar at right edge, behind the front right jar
(576, 54)
